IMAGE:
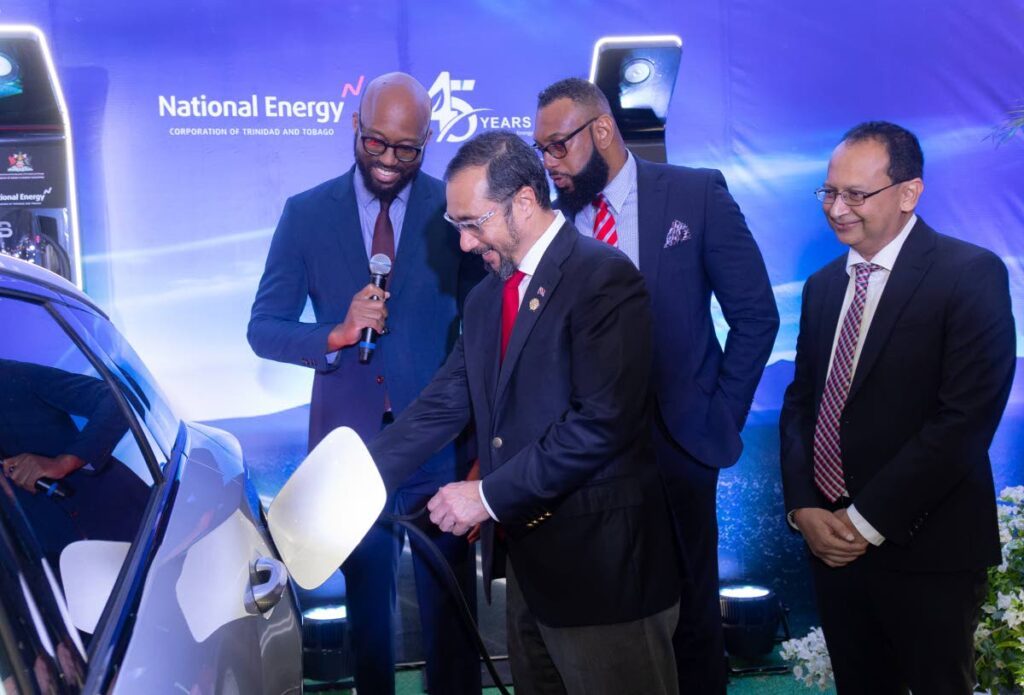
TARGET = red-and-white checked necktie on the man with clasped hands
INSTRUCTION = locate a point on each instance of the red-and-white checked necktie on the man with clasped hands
(828, 452)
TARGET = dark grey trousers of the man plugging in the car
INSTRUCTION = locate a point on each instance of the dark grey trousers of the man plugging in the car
(618, 660)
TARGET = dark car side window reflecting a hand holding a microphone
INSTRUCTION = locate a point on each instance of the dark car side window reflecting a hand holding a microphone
(61, 419)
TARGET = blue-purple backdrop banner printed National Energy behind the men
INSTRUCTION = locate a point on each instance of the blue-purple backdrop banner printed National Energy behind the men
(194, 122)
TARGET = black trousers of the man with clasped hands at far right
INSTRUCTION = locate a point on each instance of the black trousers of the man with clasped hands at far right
(888, 632)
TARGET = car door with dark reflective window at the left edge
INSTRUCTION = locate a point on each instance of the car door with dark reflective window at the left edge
(58, 406)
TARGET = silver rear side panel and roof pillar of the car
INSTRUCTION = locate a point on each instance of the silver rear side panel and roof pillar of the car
(199, 625)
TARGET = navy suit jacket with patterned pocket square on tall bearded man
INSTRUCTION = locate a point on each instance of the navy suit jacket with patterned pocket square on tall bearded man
(704, 393)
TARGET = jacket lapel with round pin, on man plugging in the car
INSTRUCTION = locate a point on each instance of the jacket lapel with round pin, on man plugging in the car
(548, 276)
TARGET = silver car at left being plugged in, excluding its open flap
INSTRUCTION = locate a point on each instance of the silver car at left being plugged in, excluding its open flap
(144, 508)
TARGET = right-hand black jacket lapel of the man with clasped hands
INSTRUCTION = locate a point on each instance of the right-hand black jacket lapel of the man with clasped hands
(912, 265)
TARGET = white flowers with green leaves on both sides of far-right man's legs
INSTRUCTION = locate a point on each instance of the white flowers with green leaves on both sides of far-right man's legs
(999, 641)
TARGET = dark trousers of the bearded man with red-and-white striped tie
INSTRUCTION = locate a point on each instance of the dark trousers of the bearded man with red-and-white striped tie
(699, 641)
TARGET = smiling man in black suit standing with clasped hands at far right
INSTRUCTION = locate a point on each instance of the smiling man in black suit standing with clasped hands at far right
(905, 363)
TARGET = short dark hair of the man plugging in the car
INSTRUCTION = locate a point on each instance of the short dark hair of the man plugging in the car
(510, 163)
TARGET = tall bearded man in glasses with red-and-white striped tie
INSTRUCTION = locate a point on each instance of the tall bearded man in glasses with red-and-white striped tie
(687, 235)
